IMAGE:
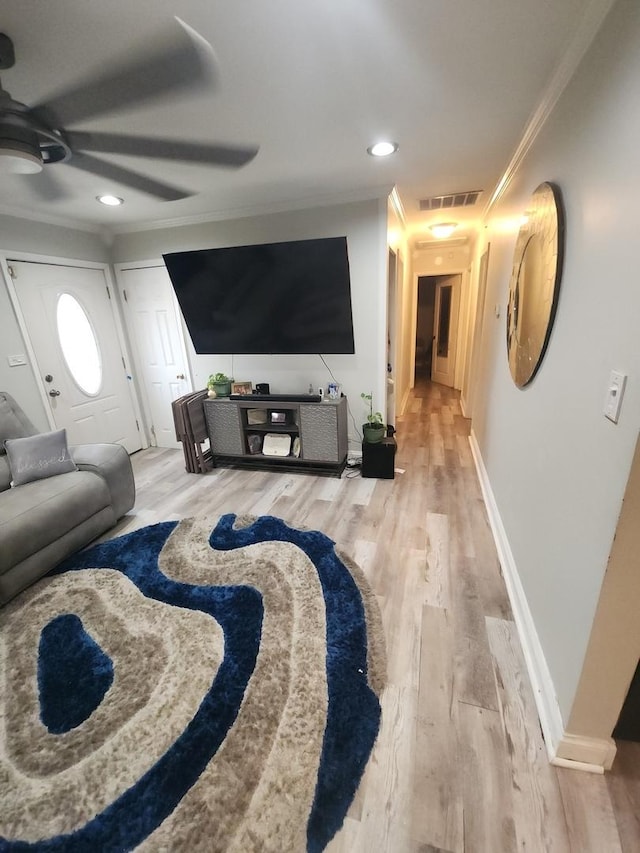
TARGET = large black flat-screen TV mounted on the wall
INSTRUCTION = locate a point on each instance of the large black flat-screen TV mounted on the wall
(272, 298)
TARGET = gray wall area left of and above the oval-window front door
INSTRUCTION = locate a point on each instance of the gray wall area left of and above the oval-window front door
(19, 236)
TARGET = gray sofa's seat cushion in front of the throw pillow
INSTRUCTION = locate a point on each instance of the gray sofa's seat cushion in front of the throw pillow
(37, 513)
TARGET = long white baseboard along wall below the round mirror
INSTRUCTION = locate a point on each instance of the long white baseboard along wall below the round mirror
(563, 749)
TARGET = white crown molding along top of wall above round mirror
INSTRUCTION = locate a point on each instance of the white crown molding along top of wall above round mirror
(589, 25)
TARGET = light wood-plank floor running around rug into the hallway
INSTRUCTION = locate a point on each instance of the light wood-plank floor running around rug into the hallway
(460, 764)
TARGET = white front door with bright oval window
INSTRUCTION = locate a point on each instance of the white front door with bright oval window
(69, 320)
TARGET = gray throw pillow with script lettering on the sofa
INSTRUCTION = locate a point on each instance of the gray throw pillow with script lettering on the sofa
(38, 456)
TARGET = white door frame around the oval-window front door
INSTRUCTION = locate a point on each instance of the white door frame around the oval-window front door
(6, 256)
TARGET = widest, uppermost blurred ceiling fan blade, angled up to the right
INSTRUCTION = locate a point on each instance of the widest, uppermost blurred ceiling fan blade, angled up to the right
(178, 60)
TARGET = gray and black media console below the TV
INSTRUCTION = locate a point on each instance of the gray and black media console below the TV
(237, 426)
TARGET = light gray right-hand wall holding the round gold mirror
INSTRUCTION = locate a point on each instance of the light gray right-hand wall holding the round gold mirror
(556, 466)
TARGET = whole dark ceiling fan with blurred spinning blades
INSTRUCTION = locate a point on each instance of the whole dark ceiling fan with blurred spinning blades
(38, 136)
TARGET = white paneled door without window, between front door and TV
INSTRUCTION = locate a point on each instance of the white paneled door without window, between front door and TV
(152, 316)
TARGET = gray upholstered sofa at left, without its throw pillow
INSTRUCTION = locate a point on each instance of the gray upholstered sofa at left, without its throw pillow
(46, 520)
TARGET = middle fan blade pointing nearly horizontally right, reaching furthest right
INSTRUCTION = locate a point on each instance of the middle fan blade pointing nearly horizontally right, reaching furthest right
(168, 149)
